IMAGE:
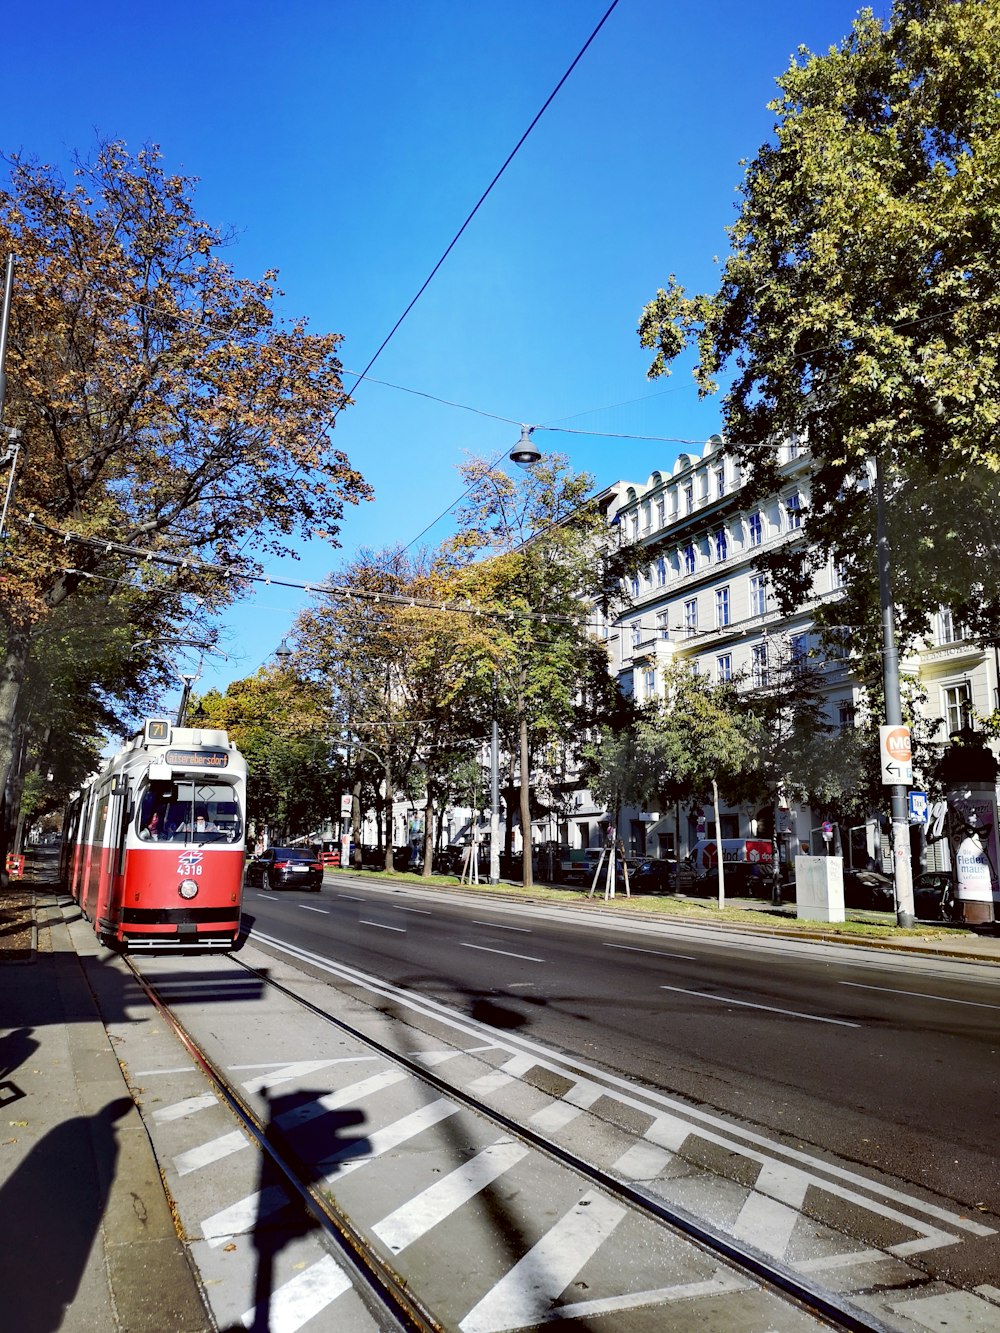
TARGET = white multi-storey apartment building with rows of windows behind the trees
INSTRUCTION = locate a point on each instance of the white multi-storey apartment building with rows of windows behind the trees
(703, 601)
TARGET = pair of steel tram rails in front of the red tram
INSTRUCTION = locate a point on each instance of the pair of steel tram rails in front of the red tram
(383, 1284)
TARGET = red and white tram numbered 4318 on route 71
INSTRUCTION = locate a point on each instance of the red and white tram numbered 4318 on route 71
(154, 846)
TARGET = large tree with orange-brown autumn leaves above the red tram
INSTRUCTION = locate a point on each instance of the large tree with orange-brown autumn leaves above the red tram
(161, 402)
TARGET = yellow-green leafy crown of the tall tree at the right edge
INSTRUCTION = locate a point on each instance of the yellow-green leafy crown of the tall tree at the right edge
(859, 309)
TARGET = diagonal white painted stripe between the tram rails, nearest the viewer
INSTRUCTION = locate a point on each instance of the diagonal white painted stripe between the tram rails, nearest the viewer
(526, 1294)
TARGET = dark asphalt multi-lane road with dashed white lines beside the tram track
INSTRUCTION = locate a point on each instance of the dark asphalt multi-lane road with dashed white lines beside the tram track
(886, 1060)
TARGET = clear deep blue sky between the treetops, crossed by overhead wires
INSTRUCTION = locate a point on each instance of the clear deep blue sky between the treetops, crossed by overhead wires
(346, 142)
